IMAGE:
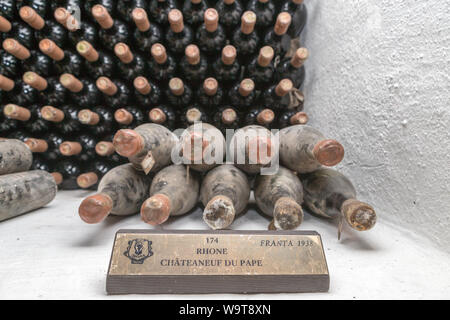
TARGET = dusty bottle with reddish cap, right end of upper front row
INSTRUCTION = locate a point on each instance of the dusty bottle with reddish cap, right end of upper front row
(304, 149)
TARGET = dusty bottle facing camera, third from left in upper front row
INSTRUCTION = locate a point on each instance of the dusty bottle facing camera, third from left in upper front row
(253, 148)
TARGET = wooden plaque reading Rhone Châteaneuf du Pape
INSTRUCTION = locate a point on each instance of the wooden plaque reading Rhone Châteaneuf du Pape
(185, 262)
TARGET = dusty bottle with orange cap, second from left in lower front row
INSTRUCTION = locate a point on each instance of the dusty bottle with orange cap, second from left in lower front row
(172, 193)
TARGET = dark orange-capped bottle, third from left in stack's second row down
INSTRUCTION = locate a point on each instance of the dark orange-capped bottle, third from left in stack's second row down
(98, 63)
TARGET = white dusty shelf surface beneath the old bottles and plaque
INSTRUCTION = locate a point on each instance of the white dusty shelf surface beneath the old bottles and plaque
(51, 254)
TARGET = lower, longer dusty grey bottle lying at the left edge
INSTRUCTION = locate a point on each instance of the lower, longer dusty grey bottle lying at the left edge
(25, 191)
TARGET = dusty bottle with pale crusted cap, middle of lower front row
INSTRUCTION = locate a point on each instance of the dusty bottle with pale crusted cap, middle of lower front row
(225, 192)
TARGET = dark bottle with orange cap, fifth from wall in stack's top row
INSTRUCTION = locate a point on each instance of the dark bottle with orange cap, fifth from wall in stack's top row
(146, 34)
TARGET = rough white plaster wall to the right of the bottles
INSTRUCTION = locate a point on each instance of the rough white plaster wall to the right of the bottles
(379, 81)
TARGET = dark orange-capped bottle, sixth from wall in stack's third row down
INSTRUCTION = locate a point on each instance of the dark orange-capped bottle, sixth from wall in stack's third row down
(116, 94)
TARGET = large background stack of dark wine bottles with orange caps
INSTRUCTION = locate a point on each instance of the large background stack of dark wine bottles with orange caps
(74, 72)
